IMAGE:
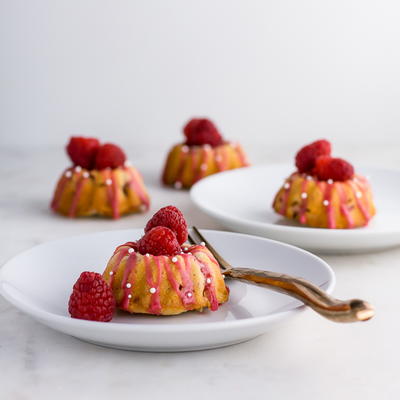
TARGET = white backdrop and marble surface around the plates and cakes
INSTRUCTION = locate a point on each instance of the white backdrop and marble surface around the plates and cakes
(273, 74)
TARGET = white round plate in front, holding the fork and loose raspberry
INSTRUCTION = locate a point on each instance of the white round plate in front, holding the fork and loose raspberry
(39, 282)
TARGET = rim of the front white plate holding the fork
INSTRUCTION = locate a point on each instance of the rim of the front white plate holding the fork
(43, 315)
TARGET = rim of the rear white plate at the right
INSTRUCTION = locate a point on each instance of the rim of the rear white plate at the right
(281, 228)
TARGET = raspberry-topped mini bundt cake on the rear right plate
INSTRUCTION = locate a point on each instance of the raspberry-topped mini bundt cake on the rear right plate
(325, 192)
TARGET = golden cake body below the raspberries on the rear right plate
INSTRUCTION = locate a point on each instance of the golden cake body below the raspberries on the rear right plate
(326, 204)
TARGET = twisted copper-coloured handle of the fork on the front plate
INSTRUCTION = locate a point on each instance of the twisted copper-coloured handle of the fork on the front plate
(311, 295)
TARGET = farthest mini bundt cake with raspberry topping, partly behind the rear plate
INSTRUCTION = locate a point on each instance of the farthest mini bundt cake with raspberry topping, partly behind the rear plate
(203, 153)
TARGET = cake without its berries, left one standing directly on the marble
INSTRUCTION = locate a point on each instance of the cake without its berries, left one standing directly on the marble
(107, 192)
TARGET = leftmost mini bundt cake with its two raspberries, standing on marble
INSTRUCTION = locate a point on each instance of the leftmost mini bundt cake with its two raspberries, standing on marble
(101, 182)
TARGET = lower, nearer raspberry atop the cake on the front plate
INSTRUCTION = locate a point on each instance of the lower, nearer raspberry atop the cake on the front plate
(159, 241)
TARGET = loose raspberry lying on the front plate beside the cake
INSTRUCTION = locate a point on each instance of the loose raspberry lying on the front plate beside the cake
(91, 298)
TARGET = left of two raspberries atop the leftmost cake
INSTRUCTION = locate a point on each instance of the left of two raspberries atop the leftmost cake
(82, 151)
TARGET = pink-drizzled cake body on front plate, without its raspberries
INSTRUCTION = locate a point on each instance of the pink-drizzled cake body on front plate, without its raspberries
(165, 285)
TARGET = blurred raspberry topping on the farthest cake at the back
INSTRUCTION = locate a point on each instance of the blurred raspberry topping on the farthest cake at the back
(199, 131)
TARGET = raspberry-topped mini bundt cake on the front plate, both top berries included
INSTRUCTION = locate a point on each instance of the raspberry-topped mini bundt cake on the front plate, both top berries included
(160, 275)
